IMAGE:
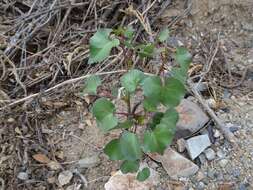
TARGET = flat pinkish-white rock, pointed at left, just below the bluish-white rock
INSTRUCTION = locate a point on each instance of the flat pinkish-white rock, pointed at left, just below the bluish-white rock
(175, 164)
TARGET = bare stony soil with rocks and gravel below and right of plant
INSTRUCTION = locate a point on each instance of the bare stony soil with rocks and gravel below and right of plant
(76, 143)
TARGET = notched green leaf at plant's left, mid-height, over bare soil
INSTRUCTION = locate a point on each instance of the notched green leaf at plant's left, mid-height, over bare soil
(103, 110)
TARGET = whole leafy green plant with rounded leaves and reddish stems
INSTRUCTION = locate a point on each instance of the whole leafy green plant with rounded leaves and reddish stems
(159, 130)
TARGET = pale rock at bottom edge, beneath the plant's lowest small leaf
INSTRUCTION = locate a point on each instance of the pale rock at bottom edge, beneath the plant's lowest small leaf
(120, 181)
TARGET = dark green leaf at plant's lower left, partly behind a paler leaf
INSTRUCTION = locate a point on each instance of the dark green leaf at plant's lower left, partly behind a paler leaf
(113, 150)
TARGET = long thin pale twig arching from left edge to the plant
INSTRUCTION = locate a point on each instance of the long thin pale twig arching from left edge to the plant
(70, 81)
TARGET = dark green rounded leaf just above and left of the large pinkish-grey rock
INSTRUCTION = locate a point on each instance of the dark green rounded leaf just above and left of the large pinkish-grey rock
(172, 92)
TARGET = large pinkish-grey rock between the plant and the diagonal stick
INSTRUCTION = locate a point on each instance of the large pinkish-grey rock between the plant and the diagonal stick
(191, 116)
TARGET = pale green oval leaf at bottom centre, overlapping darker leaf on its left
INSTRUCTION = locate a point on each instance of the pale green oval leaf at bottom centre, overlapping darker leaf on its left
(130, 146)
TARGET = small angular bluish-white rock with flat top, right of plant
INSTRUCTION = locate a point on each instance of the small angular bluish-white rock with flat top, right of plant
(196, 145)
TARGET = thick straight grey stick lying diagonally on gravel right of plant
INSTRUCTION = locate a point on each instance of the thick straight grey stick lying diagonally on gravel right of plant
(220, 124)
